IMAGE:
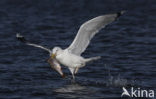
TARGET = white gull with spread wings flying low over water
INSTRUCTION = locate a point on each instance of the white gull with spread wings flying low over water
(71, 56)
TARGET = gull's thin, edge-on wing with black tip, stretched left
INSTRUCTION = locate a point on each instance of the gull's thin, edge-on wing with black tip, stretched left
(22, 39)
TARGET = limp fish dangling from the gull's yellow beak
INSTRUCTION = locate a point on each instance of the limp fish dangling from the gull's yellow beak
(55, 65)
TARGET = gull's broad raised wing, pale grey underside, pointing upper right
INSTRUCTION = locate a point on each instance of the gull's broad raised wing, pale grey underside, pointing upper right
(88, 30)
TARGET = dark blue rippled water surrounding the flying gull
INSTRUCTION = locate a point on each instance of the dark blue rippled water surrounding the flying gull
(127, 47)
